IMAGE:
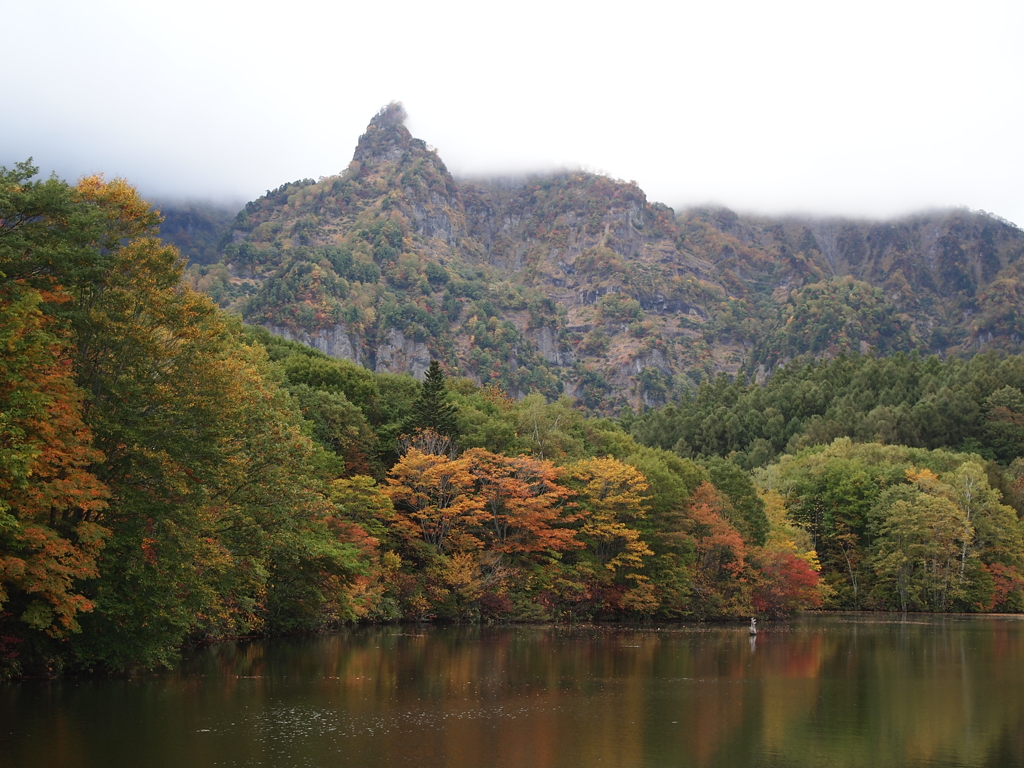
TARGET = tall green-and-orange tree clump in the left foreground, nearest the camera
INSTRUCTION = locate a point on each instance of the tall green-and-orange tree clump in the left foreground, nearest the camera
(158, 485)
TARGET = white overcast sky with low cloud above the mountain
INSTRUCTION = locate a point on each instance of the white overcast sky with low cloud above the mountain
(868, 109)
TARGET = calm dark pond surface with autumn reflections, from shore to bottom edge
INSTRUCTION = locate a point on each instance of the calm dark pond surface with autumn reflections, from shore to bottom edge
(823, 692)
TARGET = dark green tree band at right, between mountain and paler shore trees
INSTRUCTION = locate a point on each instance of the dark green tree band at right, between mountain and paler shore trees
(905, 400)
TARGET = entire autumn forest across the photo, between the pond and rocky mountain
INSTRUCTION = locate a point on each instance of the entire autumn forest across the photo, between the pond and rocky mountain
(170, 477)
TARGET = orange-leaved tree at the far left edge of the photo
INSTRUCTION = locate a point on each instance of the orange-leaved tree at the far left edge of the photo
(51, 502)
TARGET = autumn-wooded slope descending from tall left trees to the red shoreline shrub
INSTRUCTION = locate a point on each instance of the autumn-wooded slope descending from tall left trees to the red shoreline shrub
(169, 477)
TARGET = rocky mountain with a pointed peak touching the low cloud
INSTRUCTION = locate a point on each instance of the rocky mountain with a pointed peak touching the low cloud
(575, 283)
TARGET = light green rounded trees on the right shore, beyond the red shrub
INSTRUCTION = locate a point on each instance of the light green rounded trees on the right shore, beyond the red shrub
(905, 529)
